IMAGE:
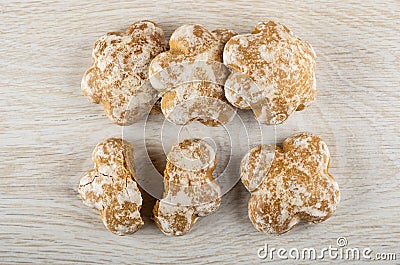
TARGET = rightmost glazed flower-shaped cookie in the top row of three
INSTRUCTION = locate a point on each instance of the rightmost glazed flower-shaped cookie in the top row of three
(273, 72)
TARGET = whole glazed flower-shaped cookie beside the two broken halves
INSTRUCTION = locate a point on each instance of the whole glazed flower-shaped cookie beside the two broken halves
(289, 184)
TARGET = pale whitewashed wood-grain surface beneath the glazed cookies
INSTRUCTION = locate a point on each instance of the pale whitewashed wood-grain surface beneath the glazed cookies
(48, 130)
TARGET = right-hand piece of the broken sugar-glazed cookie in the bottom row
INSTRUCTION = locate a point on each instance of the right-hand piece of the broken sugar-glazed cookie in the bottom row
(190, 190)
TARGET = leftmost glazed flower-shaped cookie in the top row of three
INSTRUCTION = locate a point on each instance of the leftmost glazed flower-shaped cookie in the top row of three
(117, 79)
